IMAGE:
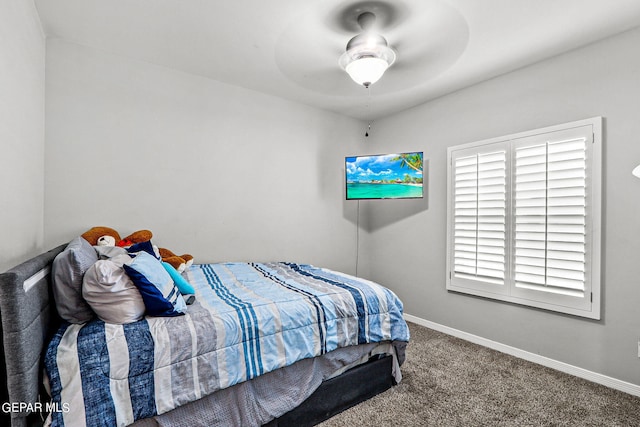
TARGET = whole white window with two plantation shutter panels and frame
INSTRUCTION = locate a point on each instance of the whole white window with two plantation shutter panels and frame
(523, 218)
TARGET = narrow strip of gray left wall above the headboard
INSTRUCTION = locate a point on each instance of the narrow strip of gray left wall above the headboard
(22, 80)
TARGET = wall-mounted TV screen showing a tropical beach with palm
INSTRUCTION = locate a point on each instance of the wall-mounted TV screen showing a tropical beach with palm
(384, 176)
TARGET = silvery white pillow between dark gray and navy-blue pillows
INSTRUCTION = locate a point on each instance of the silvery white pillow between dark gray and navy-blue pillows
(111, 293)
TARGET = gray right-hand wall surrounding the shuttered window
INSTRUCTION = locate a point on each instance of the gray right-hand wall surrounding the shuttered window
(406, 240)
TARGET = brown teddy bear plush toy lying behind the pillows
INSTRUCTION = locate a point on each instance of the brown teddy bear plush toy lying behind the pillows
(106, 236)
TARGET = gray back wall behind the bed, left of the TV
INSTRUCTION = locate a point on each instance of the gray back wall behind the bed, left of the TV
(218, 171)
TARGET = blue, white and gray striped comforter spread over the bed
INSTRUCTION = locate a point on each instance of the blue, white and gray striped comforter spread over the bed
(248, 319)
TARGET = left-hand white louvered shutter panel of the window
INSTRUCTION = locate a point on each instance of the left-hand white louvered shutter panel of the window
(480, 217)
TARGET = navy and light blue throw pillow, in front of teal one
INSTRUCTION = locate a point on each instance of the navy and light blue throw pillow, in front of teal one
(161, 297)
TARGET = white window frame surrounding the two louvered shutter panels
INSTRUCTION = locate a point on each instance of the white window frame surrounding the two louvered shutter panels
(588, 306)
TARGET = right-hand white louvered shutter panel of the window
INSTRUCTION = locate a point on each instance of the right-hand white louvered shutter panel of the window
(550, 217)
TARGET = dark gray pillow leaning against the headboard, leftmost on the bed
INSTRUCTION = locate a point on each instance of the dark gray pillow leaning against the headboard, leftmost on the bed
(68, 270)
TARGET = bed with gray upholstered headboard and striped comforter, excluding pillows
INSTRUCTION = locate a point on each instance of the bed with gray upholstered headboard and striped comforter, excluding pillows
(226, 361)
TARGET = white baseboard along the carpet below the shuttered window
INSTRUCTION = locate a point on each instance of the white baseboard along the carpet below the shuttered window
(595, 377)
